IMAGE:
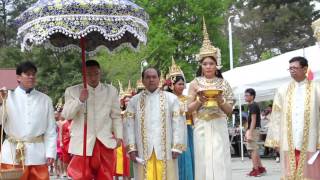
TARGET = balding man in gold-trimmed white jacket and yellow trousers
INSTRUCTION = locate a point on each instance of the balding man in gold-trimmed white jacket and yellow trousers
(155, 130)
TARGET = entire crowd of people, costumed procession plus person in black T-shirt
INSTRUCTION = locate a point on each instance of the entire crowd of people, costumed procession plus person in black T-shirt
(157, 133)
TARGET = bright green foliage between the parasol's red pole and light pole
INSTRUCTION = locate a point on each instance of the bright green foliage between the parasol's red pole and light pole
(175, 29)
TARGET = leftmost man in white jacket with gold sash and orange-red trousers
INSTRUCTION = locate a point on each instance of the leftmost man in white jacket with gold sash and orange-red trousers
(28, 121)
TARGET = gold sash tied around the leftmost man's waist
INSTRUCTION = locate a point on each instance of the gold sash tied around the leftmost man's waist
(20, 148)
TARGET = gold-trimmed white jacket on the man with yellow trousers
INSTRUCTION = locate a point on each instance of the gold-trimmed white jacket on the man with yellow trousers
(154, 122)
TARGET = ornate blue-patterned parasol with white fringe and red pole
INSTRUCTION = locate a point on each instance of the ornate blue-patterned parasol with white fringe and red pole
(84, 25)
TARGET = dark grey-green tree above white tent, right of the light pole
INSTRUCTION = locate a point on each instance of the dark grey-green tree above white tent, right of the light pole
(274, 26)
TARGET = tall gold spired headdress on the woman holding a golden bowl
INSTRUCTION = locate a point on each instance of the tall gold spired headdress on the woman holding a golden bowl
(208, 49)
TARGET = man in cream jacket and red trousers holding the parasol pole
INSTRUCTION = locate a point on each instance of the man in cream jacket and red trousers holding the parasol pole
(104, 124)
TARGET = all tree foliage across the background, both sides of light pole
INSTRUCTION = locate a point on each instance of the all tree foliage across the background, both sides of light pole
(268, 27)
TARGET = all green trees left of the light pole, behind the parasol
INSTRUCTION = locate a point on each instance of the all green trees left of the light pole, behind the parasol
(175, 30)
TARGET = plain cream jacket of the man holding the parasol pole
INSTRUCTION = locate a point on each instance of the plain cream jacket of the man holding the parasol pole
(103, 117)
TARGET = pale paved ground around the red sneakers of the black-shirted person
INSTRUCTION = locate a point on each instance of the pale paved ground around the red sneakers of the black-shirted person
(241, 168)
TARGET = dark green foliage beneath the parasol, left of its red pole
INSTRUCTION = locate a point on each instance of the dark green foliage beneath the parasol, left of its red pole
(55, 71)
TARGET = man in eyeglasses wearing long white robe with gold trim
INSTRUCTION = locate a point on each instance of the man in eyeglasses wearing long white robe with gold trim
(294, 127)
